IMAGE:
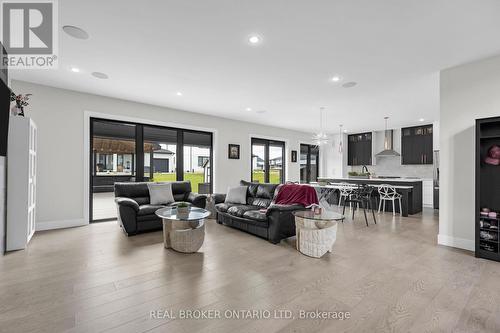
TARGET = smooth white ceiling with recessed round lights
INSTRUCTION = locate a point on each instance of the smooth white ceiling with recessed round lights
(394, 49)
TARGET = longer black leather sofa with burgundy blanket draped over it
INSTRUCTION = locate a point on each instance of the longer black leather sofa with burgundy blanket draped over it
(274, 224)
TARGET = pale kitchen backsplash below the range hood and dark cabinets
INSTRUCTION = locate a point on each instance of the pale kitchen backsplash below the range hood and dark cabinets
(391, 166)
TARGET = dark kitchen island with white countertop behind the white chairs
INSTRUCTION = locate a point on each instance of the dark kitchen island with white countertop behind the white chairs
(410, 189)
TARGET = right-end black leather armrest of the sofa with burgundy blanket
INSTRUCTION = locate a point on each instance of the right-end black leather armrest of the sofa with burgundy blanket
(281, 221)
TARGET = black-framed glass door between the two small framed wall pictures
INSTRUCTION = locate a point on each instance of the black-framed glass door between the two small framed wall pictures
(268, 158)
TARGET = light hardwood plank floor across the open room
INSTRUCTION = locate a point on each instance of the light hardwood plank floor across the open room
(390, 277)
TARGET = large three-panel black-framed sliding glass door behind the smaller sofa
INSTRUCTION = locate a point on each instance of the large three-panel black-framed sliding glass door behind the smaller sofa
(130, 152)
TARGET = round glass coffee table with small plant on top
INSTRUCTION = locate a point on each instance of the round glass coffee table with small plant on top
(184, 233)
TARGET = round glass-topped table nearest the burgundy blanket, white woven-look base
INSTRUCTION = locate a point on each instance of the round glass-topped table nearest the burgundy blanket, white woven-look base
(316, 233)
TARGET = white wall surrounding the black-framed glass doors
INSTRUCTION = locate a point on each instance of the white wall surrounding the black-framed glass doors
(59, 115)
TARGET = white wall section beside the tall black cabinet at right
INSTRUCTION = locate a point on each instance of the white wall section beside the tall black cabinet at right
(468, 92)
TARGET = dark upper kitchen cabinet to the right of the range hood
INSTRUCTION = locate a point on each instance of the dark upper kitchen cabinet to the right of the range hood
(416, 145)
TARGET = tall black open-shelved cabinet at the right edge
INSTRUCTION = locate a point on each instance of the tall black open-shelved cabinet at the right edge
(487, 188)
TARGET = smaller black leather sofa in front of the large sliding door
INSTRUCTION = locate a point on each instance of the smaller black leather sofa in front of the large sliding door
(137, 215)
